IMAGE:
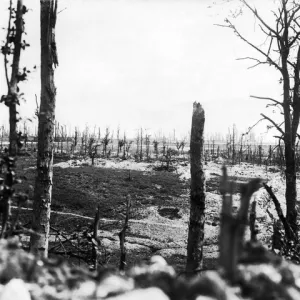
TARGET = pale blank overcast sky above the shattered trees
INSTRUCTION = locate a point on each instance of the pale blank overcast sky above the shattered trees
(142, 63)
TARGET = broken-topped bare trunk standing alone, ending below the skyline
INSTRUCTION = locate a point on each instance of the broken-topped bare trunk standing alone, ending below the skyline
(197, 196)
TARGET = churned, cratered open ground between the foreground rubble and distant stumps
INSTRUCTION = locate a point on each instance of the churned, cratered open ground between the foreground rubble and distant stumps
(160, 205)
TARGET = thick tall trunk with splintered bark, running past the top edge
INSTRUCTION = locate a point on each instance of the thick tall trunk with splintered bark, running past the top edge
(43, 181)
